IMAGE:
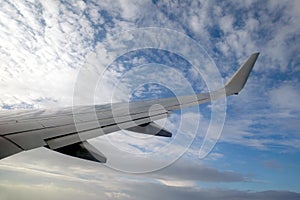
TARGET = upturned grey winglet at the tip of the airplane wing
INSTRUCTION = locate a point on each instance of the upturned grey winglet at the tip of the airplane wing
(238, 80)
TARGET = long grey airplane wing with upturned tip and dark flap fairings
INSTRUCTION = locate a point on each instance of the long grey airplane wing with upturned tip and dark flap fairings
(66, 130)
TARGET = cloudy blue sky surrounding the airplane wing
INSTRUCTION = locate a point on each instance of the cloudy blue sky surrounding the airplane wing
(45, 45)
